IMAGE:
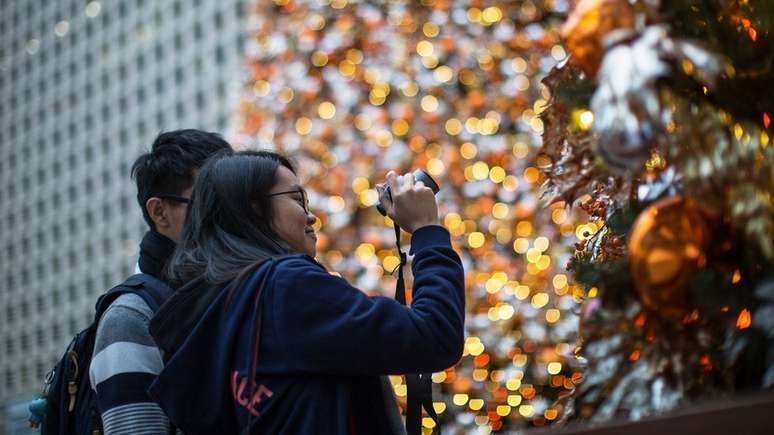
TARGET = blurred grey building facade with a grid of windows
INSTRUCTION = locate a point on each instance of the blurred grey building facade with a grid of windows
(84, 89)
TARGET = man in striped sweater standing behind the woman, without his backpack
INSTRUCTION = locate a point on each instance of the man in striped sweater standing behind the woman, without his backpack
(125, 359)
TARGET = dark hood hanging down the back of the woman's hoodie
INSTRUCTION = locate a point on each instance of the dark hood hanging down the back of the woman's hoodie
(201, 317)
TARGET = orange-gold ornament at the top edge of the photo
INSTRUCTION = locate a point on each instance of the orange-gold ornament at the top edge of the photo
(587, 26)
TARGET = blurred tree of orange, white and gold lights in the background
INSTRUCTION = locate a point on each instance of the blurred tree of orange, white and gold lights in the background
(354, 89)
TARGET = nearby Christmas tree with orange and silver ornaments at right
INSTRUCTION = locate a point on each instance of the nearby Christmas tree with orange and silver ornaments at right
(659, 128)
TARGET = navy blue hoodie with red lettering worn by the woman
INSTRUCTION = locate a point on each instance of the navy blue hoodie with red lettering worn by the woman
(322, 346)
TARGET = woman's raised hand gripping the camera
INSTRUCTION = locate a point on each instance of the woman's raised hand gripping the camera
(412, 205)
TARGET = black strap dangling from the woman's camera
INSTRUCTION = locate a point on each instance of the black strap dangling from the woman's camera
(418, 385)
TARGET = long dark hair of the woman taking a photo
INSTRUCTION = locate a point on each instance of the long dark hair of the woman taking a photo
(228, 227)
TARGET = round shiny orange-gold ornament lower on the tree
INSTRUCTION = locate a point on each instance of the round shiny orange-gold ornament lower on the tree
(668, 242)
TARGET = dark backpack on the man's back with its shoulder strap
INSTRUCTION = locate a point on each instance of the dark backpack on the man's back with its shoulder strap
(69, 405)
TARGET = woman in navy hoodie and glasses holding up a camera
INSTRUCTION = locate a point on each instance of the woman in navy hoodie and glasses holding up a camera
(262, 339)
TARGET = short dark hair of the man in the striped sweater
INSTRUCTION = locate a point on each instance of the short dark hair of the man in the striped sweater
(168, 169)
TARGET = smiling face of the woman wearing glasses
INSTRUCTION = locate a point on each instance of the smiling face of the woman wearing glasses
(292, 222)
